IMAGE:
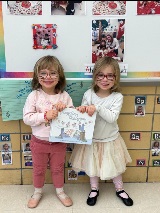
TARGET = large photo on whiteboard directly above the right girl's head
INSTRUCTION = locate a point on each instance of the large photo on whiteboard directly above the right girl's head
(108, 39)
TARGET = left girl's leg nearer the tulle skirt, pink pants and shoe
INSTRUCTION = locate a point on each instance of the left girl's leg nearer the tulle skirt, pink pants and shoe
(57, 159)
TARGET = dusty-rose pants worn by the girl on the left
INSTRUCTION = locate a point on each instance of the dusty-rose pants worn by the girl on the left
(44, 152)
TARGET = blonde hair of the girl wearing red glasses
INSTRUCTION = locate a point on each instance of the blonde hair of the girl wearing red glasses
(100, 65)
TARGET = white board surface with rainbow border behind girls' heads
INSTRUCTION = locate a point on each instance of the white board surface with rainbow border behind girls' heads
(142, 39)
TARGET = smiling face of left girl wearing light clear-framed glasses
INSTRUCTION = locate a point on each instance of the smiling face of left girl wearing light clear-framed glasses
(48, 79)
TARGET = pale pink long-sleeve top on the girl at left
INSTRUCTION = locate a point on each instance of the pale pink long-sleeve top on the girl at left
(37, 103)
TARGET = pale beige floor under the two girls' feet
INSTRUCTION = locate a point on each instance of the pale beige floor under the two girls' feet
(146, 196)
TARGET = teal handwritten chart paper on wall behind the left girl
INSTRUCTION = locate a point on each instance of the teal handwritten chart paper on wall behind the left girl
(13, 94)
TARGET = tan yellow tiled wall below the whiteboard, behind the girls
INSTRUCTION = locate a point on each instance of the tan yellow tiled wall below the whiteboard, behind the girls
(18, 173)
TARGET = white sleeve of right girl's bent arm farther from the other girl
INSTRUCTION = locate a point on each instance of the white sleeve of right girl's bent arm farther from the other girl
(111, 113)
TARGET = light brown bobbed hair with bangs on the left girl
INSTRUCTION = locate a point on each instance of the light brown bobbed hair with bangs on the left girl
(48, 62)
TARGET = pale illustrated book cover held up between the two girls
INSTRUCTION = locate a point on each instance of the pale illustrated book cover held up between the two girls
(71, 126)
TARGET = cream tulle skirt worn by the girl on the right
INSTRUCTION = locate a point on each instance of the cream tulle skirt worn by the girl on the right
(103, 159)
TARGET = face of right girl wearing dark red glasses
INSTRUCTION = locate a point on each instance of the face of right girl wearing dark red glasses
(105, 79)
